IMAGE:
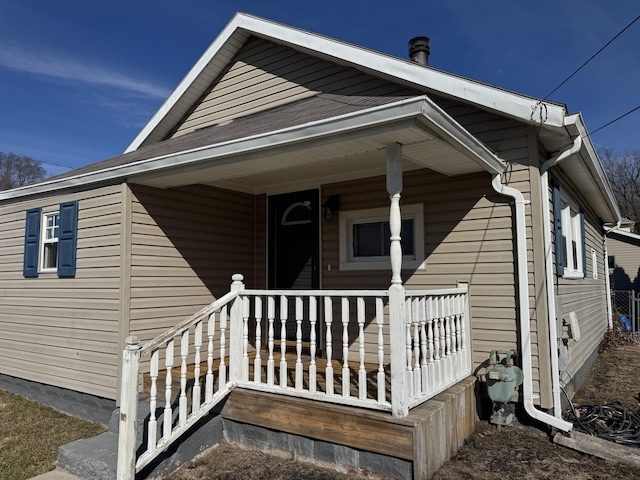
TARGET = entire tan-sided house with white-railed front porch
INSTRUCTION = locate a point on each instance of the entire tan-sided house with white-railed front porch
(290, 158)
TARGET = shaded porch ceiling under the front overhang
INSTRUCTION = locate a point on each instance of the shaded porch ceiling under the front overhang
(313, 163)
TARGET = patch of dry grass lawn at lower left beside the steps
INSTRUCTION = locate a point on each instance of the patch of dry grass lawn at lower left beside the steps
(30, 434)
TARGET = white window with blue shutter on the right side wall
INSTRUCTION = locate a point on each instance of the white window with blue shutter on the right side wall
(569, 235)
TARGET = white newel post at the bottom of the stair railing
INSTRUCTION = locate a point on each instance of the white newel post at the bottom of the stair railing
(126, 469)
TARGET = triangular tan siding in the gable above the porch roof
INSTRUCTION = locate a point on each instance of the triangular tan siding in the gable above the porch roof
(265, 75)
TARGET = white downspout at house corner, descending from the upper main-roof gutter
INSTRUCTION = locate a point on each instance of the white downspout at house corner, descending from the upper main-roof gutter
(551, 295)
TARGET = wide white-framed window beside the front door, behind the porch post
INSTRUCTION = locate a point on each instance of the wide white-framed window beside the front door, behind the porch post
(365, 238)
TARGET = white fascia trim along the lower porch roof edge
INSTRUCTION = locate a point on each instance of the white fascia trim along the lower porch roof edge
(384, 116)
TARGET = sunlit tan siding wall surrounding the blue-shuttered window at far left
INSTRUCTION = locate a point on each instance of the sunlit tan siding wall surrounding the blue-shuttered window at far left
(64, 331)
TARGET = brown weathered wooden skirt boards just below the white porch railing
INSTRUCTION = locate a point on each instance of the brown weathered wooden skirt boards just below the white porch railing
(430, 435)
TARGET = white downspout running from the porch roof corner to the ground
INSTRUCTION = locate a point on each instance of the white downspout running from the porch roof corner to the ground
(523, 297)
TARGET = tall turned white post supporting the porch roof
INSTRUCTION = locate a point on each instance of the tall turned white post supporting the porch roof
(397, 334)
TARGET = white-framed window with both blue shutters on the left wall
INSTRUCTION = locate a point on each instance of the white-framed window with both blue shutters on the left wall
(50, 241)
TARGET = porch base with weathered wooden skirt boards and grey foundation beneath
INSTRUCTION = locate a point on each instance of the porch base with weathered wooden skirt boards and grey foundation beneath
(414, 446)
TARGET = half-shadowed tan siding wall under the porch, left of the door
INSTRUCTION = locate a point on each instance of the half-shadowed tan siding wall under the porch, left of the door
(186, 244)
